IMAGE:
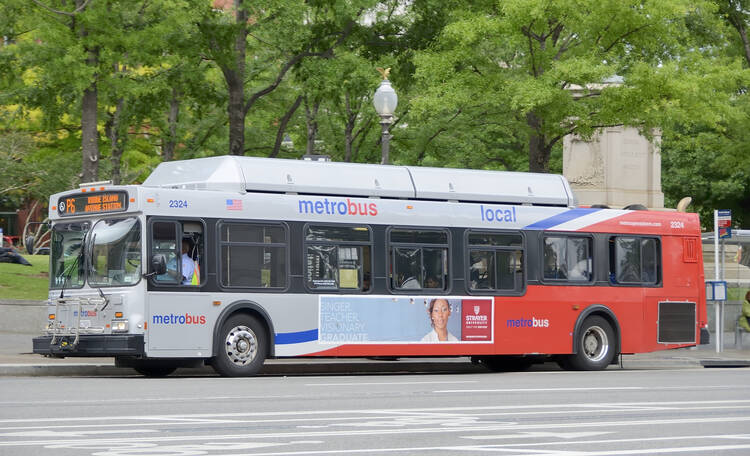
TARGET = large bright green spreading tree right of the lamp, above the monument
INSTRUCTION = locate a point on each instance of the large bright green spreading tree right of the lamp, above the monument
(543, 69)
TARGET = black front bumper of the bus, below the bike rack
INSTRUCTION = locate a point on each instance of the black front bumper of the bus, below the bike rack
(91, 345)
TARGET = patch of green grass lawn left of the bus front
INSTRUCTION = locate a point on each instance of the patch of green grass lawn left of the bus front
(25, 282)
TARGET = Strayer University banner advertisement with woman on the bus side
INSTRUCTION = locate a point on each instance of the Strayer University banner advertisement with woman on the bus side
(408, 319)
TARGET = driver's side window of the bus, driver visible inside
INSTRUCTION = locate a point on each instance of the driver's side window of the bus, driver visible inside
(182, 246)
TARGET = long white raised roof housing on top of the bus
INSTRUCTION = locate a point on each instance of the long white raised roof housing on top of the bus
(254, 174)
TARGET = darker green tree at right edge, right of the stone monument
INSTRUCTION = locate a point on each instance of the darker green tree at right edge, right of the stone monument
(710, 161)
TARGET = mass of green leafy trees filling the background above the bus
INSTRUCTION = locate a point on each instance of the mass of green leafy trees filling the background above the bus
(123, 85)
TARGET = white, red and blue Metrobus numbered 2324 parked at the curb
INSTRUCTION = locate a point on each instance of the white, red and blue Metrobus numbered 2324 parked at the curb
(232, 260)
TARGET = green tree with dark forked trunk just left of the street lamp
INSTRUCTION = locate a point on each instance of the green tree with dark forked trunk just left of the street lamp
(256, 44)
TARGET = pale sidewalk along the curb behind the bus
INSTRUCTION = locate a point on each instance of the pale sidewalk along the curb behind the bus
(16, 359)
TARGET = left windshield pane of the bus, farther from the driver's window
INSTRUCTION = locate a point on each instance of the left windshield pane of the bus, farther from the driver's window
(66, 262)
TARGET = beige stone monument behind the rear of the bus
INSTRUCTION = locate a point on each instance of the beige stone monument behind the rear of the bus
(617, 167)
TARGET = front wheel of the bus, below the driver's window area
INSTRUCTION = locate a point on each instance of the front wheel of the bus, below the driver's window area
(242, 347)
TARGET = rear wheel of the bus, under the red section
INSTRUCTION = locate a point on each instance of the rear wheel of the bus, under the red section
(595, 344)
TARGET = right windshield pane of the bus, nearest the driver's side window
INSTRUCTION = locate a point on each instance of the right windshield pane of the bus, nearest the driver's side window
(115, 256)
